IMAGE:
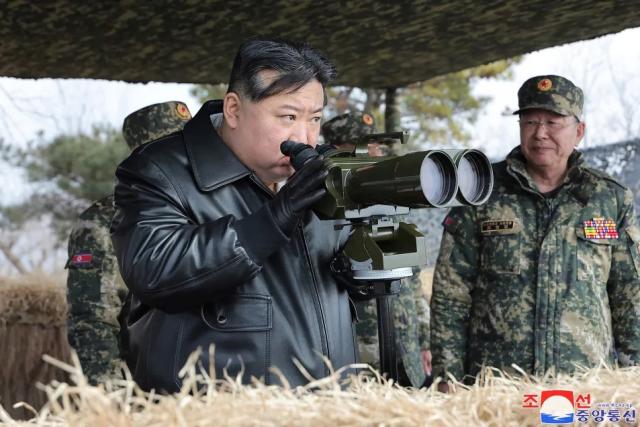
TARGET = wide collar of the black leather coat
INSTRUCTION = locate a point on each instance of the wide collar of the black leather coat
(213, 163)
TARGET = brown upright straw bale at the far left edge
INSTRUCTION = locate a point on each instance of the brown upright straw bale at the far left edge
(32, 323)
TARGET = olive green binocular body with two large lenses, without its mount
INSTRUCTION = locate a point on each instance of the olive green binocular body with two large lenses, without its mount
(360, 186)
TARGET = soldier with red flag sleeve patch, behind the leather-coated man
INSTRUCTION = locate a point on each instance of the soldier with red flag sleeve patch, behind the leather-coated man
(96, 292)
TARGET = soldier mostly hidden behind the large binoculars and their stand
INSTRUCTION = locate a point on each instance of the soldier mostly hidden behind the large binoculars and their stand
(410, 309)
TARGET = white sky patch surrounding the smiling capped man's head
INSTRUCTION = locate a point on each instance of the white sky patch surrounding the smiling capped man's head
(608, 71)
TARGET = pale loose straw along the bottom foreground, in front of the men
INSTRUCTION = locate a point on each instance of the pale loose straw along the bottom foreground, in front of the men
(495, 400)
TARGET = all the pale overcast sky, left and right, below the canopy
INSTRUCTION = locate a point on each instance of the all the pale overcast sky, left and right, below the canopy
(606, 68)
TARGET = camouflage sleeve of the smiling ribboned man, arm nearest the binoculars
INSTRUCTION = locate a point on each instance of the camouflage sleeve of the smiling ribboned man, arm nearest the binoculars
(454, 278)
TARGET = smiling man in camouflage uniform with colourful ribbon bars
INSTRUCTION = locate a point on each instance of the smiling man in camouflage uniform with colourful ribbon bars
(545, 275)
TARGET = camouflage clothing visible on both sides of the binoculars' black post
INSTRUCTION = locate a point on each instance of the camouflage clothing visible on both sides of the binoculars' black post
(411, 322)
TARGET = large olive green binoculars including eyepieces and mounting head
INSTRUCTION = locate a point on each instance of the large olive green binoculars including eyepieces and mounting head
(373, 193)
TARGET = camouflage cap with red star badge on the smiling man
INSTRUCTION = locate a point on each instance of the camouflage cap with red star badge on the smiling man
(551, 93)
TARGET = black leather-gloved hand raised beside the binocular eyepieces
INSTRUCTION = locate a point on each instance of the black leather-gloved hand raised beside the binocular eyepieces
(303, 189)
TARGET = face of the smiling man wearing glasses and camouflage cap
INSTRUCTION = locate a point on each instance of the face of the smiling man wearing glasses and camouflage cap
(548, 139)
